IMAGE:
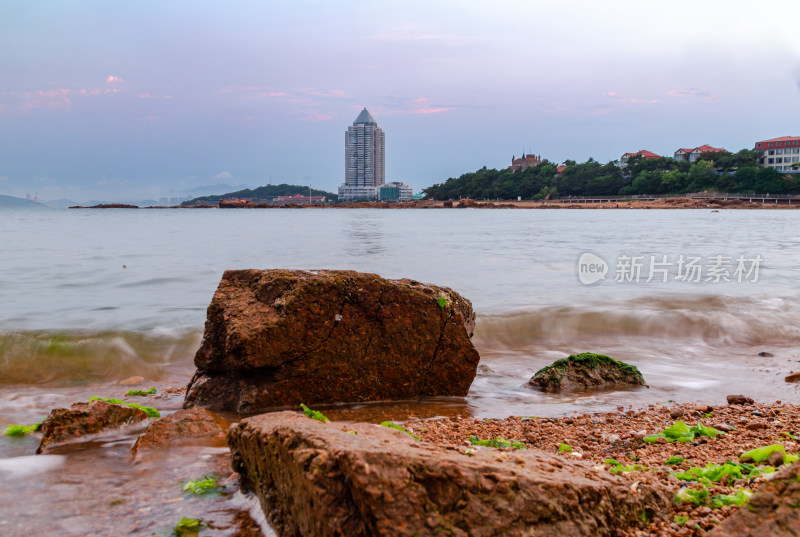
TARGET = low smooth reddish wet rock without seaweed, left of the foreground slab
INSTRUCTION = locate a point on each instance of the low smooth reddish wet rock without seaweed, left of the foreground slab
(194, 424)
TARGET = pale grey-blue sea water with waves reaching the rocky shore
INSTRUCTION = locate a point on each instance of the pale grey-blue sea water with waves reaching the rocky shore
(704, 302)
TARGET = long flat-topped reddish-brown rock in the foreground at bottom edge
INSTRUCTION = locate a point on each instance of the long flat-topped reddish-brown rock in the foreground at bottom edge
(357, 479)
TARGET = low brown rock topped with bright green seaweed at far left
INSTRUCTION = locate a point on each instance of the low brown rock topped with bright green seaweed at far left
(66, 425)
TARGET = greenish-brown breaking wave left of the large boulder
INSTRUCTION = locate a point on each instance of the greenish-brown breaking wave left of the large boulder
(33, 357)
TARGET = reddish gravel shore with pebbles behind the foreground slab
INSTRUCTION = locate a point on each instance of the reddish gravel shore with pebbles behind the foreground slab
(599, 438)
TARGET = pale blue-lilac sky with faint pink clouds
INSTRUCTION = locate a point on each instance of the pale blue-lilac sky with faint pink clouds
(134, 100)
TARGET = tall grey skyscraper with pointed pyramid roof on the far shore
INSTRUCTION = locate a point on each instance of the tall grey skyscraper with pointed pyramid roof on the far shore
(365, 160)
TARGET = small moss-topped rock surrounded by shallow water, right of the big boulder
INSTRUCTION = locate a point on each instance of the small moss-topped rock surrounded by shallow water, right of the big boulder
(587, 370)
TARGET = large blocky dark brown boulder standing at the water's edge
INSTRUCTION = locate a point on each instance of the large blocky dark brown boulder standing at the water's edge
(282, 337)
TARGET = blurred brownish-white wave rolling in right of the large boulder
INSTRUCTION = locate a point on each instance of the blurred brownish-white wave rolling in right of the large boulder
(710, 319)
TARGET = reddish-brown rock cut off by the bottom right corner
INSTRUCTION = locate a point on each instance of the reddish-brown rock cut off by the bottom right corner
(772, 511)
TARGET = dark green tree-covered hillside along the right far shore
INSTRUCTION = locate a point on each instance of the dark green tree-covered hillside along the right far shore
(720, 172)
